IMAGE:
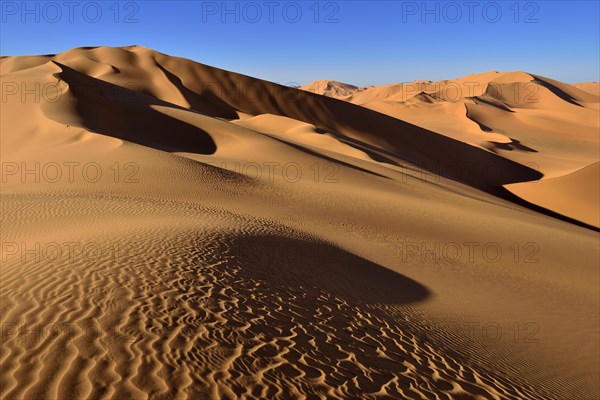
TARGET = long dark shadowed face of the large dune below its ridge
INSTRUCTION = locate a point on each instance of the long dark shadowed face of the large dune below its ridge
(408, 142)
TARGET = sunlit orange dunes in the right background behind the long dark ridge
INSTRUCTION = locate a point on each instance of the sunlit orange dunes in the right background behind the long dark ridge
(519, 116)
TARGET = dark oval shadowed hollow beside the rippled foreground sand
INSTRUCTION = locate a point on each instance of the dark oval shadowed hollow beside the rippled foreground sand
(314, 267)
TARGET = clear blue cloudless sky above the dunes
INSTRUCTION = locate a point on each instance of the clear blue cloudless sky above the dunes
(358, 42)
